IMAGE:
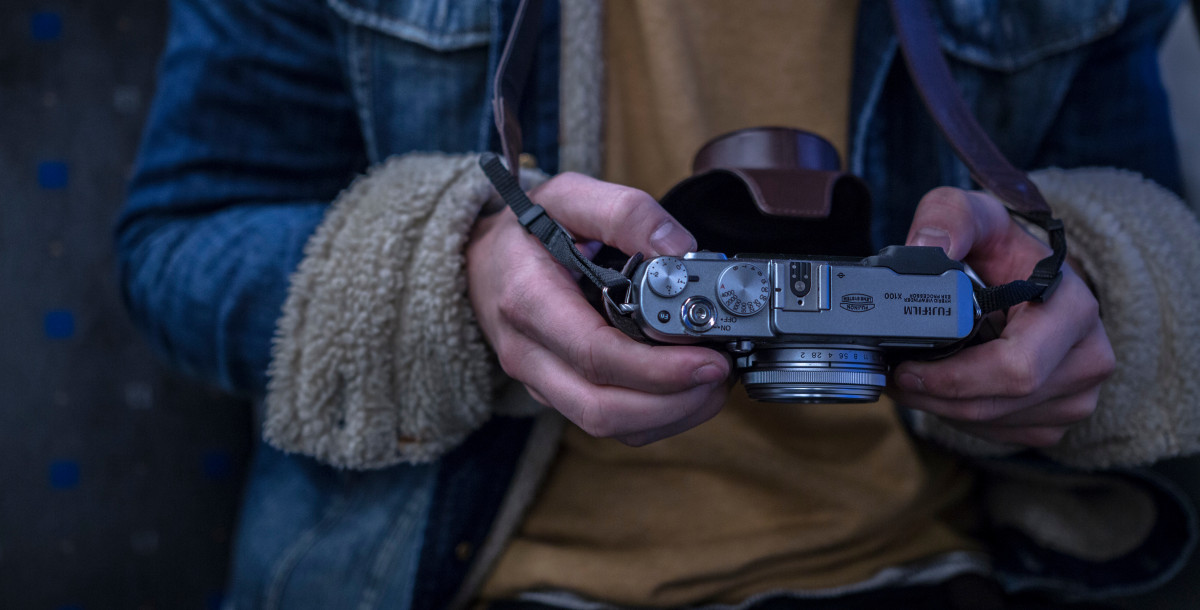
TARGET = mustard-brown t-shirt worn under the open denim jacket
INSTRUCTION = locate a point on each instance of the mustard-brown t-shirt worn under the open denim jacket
(764, 497)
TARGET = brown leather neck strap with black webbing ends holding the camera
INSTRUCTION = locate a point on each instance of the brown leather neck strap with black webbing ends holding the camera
(940, 94)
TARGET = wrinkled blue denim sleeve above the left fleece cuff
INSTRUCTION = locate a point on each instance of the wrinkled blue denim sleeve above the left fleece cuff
(251, 135)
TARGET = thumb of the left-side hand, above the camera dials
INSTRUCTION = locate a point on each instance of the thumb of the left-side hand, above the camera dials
(621, 217)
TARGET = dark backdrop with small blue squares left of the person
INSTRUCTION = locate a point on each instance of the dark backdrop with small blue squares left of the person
(118, 481)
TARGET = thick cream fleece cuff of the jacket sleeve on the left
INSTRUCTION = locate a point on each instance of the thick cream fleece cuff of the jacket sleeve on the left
(377, 358)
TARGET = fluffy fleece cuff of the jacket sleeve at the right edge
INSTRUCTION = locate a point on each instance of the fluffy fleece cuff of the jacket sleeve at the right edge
(1141, 246)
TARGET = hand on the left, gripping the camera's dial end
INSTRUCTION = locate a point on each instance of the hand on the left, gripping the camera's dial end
(549, 338)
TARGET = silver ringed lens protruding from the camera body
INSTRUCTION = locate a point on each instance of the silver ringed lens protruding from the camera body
(814, 374)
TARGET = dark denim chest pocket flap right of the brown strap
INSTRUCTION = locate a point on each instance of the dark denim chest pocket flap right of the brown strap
(1010, 37)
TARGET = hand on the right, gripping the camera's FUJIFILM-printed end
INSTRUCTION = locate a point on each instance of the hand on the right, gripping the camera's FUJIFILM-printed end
(1045, 372)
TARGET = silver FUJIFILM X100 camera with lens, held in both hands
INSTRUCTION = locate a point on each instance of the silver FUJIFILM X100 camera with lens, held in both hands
(807, 330)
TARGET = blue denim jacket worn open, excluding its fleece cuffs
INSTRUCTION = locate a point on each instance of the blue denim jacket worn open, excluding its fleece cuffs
(268, 109)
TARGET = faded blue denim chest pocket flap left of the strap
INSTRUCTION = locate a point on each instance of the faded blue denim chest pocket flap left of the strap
(440, 25)
